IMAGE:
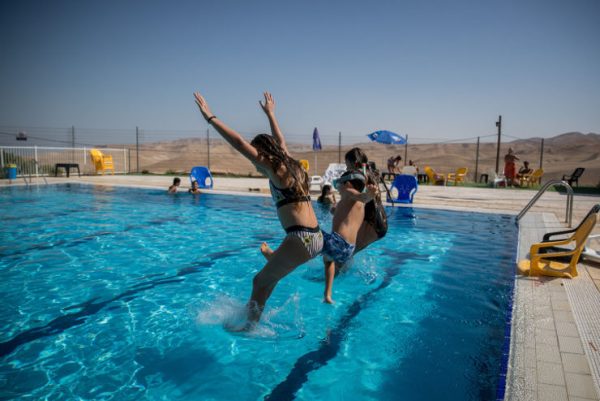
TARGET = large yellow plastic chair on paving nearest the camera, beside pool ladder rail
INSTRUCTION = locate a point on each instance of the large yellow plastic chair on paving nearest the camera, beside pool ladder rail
(546, 263)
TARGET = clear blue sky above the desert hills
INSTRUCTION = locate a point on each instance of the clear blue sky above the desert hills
(435, 70)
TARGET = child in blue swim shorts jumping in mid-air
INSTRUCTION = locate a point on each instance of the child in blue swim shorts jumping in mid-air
(356, 191)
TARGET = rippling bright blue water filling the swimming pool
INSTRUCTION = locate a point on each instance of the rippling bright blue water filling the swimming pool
(123, 294)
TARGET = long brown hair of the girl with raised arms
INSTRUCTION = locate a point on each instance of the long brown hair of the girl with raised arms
(268, 148)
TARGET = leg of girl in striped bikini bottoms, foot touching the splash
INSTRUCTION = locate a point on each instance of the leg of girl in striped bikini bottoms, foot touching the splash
(290, 254)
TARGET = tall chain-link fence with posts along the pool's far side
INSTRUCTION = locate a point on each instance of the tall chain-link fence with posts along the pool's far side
(141, 150)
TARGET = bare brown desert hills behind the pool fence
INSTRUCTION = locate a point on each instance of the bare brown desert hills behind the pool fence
(561, 155)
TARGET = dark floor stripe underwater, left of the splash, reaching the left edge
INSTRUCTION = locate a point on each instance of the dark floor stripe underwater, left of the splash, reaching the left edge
(90, 307)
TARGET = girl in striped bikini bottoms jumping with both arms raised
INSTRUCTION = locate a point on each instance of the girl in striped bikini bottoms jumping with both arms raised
(289, 188)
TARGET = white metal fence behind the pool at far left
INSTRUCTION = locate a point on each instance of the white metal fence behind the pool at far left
(42, 161)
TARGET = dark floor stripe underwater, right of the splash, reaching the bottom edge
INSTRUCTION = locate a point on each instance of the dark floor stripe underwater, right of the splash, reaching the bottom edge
(330, 345)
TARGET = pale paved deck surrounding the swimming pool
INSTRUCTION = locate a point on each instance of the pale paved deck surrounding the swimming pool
(555, 339)
